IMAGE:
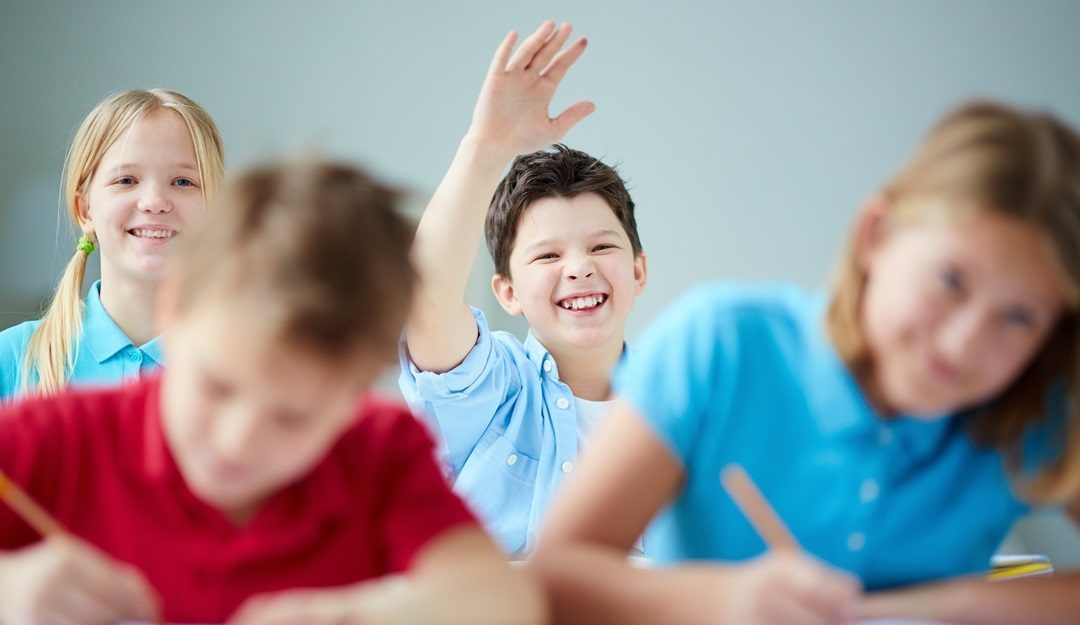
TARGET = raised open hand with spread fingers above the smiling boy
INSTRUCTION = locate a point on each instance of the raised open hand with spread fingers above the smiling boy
(511, 116)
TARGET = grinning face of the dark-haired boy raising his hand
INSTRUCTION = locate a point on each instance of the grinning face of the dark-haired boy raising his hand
(574, 274)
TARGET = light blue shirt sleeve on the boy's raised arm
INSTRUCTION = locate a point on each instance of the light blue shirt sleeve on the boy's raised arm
(461, 404)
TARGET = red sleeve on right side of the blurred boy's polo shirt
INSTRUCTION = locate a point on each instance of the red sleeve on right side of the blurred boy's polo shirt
(417, 504)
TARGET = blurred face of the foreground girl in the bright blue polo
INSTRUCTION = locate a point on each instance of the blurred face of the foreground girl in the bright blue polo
(956, 308)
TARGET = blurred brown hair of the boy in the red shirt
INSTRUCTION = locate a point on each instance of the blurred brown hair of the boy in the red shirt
(319, 247)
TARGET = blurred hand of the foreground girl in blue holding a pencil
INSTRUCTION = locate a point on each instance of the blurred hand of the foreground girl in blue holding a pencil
(790, 589)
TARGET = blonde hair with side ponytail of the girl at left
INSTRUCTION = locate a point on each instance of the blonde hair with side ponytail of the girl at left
(53, 348)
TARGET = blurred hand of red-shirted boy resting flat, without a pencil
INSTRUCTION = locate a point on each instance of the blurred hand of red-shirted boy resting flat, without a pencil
(379, 603)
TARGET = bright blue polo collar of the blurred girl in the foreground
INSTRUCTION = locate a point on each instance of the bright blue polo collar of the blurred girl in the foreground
(843, 410)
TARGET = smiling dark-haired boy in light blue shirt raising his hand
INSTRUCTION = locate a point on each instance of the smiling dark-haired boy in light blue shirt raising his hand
(562, 233)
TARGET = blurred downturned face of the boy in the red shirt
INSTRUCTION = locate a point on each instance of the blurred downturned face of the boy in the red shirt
(246, 416)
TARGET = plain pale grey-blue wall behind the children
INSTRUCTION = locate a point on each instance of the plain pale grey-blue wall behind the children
(750, 132)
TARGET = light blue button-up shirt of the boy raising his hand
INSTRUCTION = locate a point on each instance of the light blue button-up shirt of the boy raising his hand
(508, 430)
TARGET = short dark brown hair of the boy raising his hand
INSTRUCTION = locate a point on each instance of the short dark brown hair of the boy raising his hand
(556, 172)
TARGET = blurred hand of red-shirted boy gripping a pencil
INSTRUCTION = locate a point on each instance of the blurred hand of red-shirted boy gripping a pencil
(64, 581)
